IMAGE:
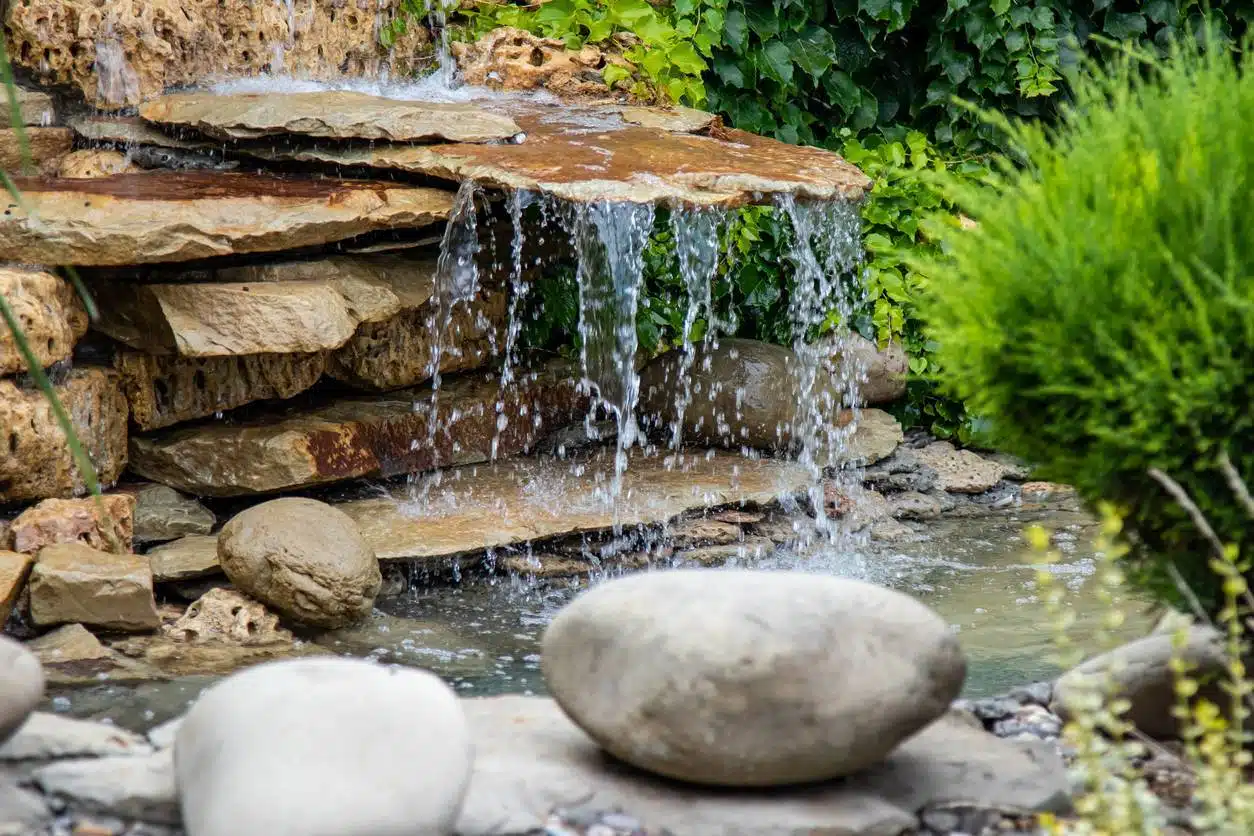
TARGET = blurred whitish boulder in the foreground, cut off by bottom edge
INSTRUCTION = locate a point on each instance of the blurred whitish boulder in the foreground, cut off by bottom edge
(298, 724)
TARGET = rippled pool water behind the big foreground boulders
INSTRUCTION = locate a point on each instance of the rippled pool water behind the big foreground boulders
(483, 636)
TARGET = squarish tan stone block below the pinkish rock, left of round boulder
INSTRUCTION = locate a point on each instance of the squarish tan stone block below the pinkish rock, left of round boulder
(76, 583)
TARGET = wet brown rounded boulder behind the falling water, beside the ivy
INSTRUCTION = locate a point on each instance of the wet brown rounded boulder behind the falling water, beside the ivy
(746, 393)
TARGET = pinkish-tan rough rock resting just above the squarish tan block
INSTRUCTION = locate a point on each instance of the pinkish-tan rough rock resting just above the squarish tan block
(105, 523)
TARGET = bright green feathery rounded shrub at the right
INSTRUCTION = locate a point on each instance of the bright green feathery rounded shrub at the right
(1103, 315)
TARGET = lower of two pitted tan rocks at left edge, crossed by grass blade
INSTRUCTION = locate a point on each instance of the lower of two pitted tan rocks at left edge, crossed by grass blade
(36, 461)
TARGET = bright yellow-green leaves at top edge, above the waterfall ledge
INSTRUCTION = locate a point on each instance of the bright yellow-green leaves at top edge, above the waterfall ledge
(670, 44)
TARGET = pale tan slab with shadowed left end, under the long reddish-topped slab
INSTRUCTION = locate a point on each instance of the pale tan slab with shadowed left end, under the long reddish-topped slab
(226, 320)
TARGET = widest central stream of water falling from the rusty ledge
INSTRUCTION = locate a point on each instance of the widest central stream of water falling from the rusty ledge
(610, 241)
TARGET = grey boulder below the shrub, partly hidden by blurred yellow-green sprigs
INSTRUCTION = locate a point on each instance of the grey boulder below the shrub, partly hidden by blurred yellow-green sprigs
(1141, 672)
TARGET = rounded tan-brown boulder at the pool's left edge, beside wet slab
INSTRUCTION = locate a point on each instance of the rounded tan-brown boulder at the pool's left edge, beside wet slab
(303, 558)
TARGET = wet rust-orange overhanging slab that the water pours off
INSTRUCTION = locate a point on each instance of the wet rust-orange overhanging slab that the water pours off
(614, 161)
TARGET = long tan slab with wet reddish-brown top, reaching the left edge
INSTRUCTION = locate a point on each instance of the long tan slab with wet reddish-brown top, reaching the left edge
(182, 216)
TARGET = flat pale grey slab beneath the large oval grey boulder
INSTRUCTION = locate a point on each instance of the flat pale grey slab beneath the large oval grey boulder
(531, 761)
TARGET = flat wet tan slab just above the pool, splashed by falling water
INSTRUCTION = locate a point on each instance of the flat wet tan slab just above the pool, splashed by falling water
(516, 502)
